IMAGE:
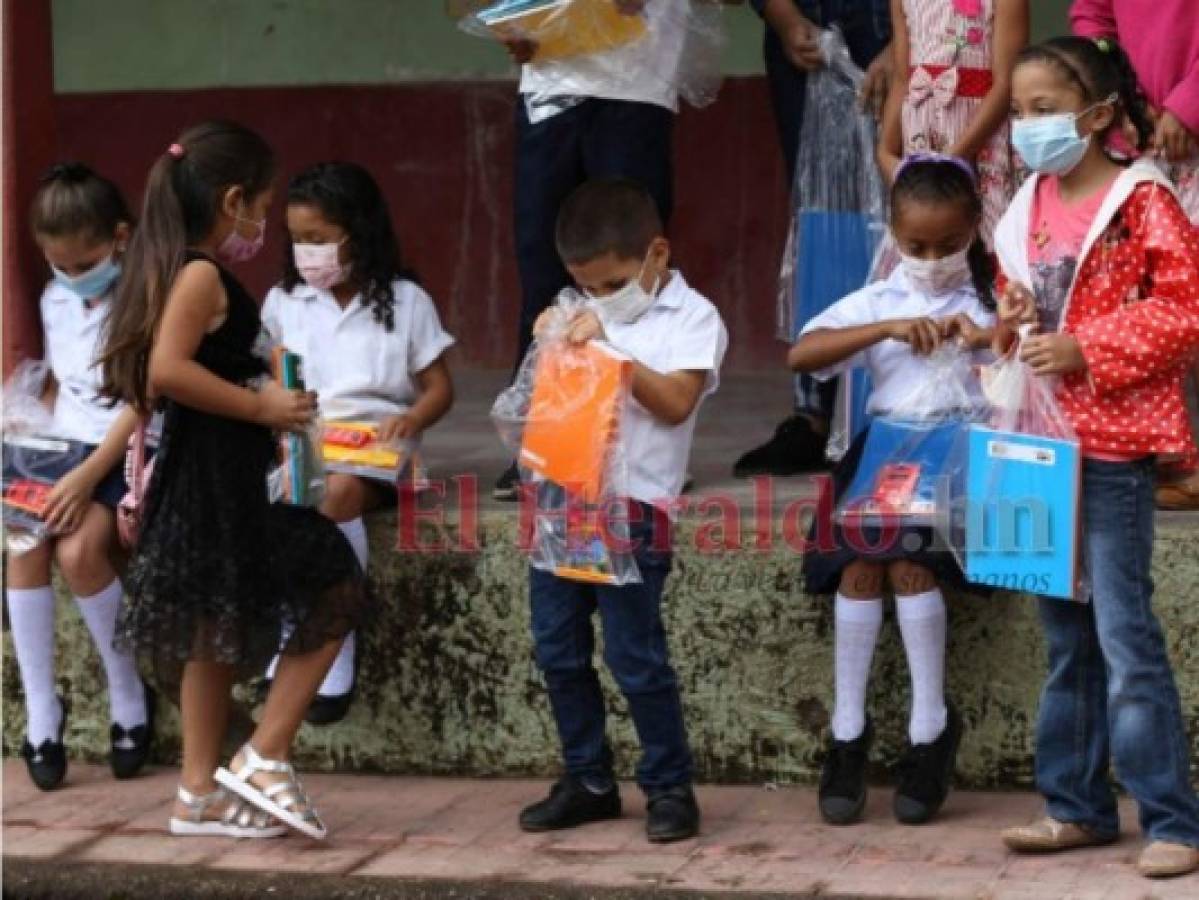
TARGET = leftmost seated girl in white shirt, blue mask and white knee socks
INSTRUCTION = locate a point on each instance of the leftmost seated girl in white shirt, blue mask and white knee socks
(82, 225)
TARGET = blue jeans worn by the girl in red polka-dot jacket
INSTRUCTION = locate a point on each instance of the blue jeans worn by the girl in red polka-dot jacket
(1111, 693)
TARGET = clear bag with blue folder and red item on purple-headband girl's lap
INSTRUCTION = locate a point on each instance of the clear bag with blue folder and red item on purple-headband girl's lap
(914, 461)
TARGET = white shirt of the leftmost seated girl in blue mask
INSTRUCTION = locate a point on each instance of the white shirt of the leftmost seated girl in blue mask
(74, 339)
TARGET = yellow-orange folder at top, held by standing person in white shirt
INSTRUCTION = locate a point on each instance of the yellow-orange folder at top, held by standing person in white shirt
(563, 28)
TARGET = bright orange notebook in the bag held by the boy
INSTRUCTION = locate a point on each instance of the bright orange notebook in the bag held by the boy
(579, 398)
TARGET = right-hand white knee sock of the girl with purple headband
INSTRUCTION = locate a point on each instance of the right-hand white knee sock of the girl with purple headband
(923, 623)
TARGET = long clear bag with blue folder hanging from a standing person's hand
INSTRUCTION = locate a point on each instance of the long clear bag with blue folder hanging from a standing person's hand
(839, 197)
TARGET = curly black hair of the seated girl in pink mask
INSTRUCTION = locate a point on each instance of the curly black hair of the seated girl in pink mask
(348, 197)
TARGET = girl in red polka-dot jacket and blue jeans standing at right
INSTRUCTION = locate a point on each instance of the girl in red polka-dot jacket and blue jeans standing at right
(1102, 259)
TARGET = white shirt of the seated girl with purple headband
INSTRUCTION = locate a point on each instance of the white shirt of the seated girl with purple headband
(894, 369)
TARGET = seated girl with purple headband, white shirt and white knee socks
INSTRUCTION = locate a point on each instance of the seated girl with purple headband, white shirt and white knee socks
(942, 292)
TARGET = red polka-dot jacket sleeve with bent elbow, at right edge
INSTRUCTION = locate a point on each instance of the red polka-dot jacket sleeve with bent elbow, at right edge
(1141, 340)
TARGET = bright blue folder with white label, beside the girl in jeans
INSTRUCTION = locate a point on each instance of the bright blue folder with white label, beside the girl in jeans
(1022, 512)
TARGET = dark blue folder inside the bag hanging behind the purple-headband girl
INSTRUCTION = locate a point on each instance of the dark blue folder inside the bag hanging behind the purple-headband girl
(835, 251)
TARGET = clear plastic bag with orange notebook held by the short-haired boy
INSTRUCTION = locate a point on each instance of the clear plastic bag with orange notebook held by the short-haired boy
(564, 419)
